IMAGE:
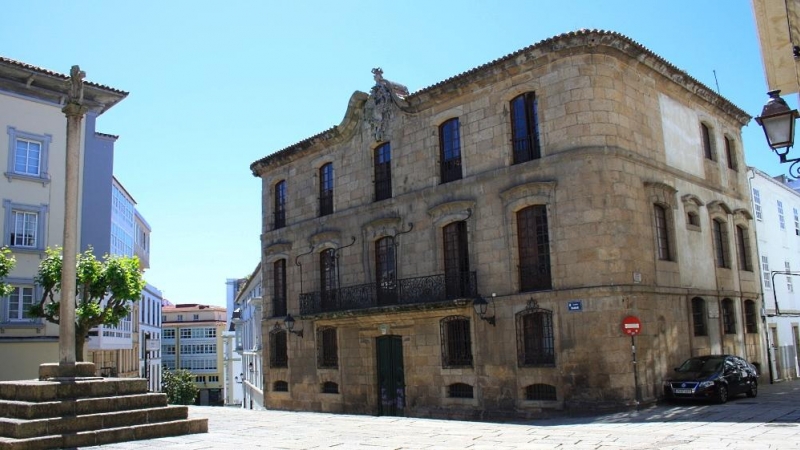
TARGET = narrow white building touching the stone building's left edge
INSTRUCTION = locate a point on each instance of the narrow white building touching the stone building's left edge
(247, 321)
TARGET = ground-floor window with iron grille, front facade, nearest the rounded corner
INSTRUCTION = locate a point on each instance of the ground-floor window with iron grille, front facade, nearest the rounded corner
(535, 338)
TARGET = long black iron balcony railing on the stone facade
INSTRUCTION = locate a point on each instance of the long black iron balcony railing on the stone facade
(406, 291)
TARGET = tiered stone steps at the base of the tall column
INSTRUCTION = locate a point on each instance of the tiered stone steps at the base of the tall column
(76, 412)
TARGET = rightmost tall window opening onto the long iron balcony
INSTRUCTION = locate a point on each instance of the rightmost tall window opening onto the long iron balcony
(456, 260)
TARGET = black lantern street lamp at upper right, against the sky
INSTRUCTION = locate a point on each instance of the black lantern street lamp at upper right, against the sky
(777, 120)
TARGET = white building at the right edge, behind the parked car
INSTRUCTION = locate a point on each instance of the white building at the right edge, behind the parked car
(776, 205)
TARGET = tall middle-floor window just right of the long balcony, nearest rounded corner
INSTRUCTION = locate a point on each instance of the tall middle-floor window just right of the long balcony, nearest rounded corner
(533, 242)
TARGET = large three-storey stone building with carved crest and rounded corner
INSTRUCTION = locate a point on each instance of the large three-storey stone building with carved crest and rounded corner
(470, 250)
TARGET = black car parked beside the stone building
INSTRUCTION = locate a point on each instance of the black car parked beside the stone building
(712, 377)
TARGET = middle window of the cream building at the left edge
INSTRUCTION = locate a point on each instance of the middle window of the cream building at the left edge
(25, 225)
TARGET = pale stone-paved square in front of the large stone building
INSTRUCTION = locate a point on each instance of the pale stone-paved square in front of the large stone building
(769, 421)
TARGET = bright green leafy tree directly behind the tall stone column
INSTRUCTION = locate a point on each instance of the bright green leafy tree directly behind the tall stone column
(104, 290)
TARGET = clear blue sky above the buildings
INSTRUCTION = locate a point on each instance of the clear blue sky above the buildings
(217, 85)
